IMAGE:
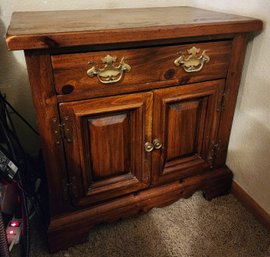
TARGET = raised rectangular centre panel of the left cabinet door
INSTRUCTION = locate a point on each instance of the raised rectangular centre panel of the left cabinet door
(109, 136)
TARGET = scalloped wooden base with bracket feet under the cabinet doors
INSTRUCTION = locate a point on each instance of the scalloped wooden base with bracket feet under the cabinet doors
(73, 228)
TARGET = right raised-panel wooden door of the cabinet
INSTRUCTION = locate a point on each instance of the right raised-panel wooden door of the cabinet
(185, 121)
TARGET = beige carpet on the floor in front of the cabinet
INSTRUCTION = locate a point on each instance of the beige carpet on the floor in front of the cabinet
(192, 227)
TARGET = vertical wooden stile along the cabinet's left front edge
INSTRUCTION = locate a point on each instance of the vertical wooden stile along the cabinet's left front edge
(41, 81)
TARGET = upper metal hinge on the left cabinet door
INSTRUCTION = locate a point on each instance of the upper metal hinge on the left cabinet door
(62, 131)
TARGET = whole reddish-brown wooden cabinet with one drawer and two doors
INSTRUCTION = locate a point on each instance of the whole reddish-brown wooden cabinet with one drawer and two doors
(134, 107)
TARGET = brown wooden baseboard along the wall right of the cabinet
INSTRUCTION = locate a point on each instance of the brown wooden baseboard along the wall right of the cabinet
(251, 205)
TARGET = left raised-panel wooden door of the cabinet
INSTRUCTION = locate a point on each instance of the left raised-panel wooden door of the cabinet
(105, 154)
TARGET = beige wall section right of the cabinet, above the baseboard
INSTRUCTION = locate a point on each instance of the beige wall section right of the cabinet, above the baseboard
(249, 149)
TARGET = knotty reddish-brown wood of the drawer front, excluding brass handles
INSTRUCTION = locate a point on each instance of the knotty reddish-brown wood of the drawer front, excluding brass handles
(148, 65)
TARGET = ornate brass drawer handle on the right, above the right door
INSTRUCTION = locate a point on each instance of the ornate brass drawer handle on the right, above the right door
(194, 61)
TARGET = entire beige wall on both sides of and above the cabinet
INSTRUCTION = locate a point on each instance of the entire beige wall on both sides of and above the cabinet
(249, 149)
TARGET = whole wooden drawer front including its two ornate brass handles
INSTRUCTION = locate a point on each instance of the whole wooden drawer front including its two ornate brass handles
(90, 74)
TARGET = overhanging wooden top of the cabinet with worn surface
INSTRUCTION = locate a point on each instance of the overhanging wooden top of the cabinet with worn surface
(50, 29)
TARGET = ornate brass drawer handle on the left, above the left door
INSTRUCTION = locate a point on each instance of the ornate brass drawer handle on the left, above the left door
(110, 73)
